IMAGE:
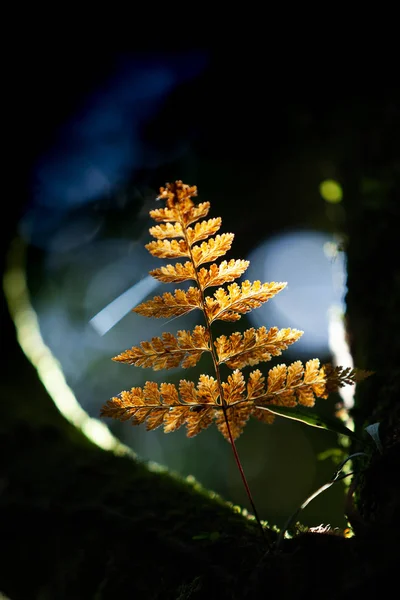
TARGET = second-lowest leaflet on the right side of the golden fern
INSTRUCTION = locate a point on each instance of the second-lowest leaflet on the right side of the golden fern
(254, 346)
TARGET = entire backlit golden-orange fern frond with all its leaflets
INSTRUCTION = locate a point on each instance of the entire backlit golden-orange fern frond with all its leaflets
(232, 402)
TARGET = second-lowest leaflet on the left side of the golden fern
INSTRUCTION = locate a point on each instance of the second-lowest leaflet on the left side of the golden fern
(169, 351)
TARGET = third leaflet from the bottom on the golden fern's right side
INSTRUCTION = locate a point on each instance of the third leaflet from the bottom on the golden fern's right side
(239, 300)
